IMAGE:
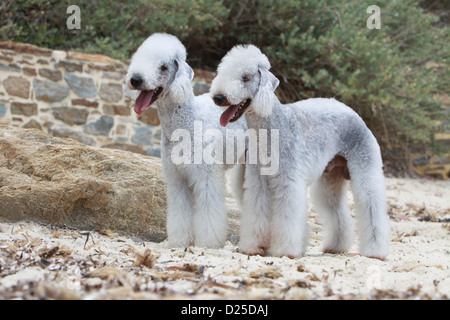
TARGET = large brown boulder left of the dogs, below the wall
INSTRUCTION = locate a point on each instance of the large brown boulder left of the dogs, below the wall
(63, 182)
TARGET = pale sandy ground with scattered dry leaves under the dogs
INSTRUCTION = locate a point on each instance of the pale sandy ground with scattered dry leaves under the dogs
(40, 261)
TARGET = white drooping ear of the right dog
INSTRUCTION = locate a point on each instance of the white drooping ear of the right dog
(263, 99)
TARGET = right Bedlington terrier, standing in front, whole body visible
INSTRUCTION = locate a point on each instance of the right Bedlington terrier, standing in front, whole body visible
(321, 142)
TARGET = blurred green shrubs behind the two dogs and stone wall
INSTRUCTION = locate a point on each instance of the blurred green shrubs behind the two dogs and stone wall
(318, 48)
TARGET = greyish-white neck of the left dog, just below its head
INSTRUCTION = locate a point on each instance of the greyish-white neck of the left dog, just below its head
(175, 116)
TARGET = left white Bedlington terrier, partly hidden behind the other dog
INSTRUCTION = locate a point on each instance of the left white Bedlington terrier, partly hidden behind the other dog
(196, 213)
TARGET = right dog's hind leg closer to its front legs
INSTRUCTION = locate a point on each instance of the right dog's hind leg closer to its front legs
(328, 196)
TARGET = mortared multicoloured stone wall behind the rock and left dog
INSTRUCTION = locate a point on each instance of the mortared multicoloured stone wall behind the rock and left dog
(79, 96)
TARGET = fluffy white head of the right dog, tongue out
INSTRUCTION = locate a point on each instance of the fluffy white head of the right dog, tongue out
(244, 83)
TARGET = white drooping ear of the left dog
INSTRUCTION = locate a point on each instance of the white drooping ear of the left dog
(181, 87)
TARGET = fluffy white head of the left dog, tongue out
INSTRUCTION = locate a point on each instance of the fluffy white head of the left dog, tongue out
(159, 68)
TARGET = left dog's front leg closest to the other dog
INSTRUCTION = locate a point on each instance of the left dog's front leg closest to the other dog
(209, 218)
